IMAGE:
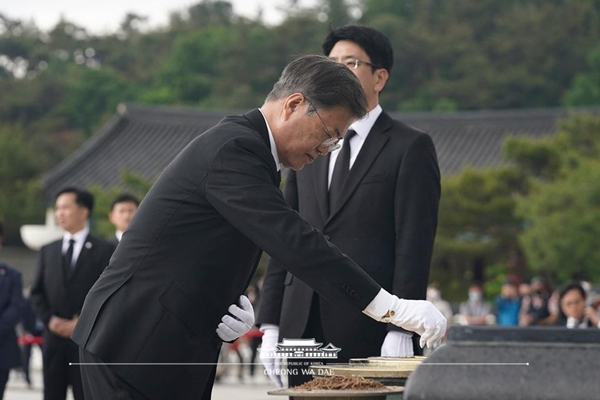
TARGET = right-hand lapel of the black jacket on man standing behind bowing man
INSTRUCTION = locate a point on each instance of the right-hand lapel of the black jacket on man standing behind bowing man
(375, 142)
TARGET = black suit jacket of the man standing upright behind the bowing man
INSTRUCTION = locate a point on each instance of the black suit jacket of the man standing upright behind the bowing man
(385, 220)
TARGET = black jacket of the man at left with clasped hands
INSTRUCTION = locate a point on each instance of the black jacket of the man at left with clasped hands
(59, 291)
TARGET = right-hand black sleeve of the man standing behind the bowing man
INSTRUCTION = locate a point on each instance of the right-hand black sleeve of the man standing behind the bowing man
(417, 197)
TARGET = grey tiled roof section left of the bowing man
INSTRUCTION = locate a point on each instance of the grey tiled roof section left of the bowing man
(138, 139)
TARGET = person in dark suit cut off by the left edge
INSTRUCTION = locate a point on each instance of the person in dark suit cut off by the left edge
(11, 309)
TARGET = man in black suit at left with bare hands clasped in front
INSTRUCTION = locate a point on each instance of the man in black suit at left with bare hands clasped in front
(67, 269)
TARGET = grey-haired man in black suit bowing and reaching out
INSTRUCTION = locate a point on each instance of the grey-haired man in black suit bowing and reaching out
(194, 244)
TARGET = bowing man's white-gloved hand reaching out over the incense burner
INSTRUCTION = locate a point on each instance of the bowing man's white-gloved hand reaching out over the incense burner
(418, 316)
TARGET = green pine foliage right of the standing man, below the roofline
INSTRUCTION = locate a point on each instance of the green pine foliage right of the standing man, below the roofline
(540, 213)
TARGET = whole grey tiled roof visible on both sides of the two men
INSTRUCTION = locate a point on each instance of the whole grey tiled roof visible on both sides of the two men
(144, 139)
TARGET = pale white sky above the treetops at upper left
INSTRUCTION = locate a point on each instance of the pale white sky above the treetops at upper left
(103, 16)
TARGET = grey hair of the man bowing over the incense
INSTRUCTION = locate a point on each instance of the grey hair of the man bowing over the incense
(324, 82)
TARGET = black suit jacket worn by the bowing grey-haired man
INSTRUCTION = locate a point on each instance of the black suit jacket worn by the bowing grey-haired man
(190, 252)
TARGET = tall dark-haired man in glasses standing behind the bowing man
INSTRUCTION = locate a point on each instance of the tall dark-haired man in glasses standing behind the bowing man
(382, 214)
